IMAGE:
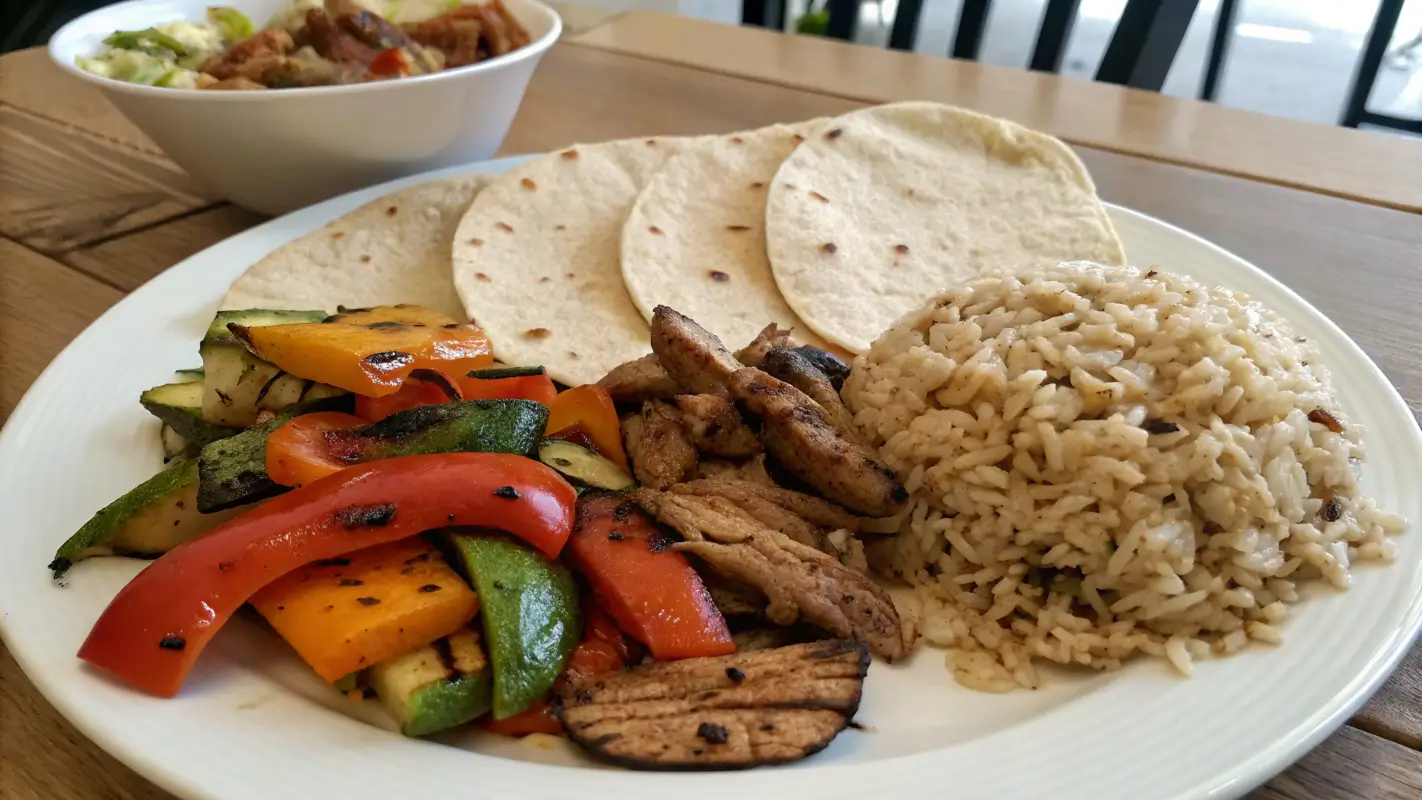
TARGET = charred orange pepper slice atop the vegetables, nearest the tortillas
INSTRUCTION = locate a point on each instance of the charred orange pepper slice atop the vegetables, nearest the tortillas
(370, 352)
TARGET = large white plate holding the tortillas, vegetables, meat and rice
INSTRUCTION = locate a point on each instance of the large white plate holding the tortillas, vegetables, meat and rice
(254, 723)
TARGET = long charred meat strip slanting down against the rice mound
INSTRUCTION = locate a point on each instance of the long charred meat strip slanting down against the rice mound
(797, 434)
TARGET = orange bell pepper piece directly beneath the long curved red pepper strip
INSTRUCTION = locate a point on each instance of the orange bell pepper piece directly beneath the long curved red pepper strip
(368, 607)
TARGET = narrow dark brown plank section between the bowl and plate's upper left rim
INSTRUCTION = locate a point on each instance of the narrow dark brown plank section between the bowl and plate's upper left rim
(127, 262)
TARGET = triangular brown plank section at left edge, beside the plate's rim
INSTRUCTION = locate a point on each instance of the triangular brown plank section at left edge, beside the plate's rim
(43, 306)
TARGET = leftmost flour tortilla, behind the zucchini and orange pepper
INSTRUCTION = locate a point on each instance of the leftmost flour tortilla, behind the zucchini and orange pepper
(392, 251)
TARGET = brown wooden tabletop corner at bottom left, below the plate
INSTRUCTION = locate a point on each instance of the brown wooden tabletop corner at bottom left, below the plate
(43, 757)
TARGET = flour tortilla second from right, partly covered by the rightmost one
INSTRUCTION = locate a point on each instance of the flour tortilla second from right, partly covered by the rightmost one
(696, 239)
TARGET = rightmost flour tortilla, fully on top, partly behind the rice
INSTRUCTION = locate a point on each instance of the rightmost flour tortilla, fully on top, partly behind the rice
(895, 204)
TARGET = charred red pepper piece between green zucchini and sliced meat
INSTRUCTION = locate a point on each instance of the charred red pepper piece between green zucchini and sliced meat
(652, 592)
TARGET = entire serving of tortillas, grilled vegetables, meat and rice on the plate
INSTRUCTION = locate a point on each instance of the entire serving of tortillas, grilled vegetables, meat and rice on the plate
(520, 487)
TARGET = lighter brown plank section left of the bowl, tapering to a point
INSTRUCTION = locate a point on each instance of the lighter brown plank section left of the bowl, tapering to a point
(62, 187)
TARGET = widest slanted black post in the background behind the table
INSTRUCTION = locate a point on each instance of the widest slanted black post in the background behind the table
(1145, 43)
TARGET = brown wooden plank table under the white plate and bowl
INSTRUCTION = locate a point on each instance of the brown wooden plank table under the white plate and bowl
(90, 210)
